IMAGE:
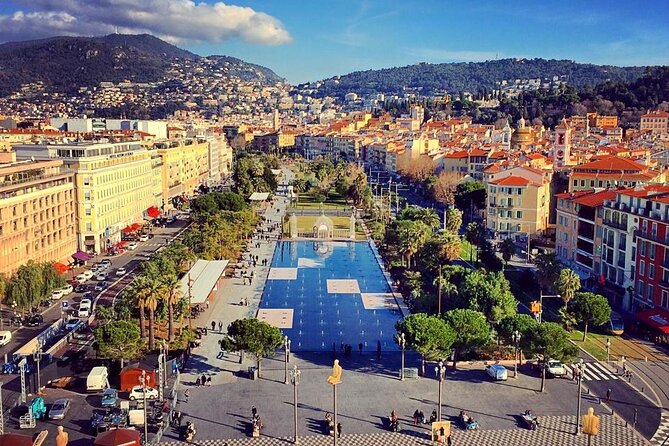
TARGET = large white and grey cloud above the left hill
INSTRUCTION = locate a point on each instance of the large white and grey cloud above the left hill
(173, 20)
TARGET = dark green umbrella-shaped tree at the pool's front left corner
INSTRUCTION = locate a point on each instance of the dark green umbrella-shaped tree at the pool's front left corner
(254, 336)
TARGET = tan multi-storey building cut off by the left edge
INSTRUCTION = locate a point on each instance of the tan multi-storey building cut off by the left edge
(37, 212)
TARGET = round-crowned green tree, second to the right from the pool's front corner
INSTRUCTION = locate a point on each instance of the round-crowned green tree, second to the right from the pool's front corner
(471, 330)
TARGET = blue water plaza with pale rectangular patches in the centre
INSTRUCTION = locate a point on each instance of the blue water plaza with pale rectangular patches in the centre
(337, 293)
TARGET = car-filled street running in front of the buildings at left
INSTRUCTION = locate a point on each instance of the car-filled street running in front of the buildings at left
(129, 260)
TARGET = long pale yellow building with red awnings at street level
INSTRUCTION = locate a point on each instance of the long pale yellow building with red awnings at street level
(114, 185)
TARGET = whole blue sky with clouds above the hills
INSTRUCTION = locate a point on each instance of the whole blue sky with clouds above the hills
(307, 40)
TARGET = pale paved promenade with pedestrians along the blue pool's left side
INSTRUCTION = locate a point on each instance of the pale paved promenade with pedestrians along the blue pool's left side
(207, 358)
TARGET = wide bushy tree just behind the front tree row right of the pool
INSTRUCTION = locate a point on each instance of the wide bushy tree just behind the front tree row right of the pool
(489, 293)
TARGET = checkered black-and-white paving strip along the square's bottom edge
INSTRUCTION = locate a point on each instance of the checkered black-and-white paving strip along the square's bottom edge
(556, 430)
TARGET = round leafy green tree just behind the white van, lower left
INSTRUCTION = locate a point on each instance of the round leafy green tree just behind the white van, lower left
(119, 340)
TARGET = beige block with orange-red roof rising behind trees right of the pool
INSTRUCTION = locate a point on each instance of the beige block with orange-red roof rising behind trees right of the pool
(518, 202)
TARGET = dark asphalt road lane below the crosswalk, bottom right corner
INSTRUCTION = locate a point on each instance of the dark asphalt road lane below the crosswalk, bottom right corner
(624, 401)
